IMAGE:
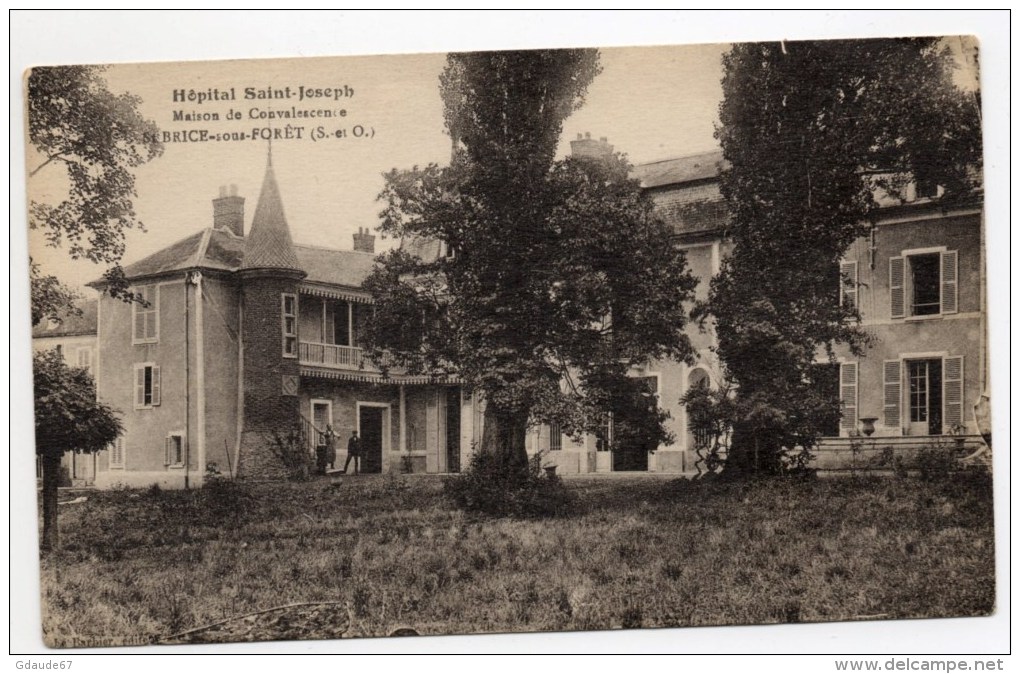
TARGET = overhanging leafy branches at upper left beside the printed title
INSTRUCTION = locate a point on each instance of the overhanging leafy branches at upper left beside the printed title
(96, 138)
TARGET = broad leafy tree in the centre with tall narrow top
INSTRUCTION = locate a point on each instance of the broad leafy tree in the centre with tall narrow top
(558, 276)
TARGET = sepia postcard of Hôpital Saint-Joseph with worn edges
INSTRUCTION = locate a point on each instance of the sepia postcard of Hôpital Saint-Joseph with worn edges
(512, 341)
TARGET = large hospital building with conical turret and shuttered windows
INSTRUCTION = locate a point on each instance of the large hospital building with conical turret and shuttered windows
(247, 349)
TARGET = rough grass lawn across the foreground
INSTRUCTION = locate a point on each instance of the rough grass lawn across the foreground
(641, 552)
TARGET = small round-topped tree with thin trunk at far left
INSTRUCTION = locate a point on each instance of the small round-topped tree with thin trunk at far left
(69, 419)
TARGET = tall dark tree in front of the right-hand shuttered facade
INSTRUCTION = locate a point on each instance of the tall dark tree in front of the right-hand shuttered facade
(813, 131)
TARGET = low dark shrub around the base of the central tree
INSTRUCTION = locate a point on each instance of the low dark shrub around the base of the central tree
(490, 488)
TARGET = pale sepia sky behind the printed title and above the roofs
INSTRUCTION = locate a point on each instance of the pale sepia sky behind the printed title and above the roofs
(651, 103)
